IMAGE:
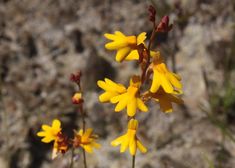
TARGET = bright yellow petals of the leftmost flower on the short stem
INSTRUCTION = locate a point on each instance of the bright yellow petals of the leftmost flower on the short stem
(50, 133)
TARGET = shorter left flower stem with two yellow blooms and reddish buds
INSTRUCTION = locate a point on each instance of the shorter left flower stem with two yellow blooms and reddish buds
(84, 138)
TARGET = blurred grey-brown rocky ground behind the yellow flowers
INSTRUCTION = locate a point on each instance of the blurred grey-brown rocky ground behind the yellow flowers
(43, 42)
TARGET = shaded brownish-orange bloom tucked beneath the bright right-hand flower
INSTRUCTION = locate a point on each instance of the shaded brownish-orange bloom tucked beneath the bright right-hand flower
(166, 99)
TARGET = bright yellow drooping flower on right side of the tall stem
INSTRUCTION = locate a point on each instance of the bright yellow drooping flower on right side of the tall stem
(163, 77)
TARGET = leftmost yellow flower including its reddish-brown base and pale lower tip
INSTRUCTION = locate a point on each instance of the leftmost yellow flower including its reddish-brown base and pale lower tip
(53, 133)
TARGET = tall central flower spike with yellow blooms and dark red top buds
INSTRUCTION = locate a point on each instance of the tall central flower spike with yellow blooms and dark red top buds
(165, 85)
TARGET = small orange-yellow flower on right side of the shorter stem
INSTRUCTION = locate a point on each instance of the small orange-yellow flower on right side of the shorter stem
(86, 140)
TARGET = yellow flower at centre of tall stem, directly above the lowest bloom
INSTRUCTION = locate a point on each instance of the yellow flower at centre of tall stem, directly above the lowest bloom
(130, 99)
